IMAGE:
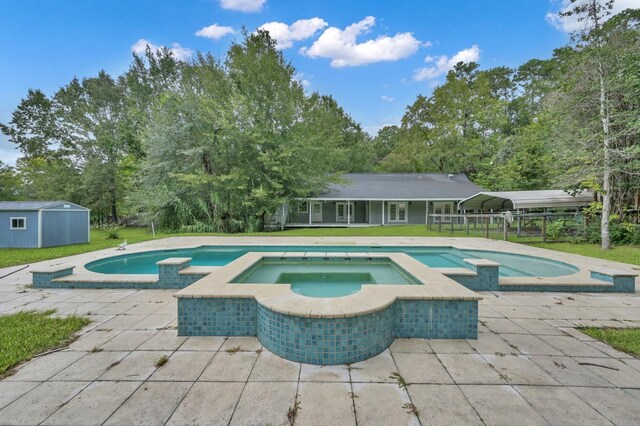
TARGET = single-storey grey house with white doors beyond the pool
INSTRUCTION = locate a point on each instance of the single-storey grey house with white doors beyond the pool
(384, 199)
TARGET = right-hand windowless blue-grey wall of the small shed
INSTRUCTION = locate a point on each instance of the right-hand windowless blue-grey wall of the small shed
(64, 227)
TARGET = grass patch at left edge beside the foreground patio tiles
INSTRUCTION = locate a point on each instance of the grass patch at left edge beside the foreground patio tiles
(25, 334)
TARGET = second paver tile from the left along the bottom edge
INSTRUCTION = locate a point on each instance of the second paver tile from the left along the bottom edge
(93, 405)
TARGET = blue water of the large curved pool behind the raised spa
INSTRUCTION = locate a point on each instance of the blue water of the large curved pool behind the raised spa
(511, 265)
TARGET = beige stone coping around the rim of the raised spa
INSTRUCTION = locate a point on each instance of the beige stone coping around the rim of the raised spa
(371, 298)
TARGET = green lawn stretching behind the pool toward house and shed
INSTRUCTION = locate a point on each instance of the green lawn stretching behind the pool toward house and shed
(10, 257)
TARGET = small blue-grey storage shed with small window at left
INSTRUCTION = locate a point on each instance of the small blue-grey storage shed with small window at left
(32, 224)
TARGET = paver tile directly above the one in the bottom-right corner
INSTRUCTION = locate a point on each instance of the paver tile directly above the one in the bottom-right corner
(568, 372)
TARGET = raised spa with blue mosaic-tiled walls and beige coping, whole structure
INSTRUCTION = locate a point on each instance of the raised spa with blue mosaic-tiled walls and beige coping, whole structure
(244, 298)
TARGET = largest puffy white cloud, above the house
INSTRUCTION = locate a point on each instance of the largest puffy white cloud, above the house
(341, 47)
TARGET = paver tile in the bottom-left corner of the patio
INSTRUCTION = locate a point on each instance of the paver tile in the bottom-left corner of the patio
(38, 404)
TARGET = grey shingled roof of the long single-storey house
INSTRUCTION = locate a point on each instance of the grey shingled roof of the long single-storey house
(400, 186)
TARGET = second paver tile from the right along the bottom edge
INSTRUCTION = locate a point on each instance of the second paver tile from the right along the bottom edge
(561, 407)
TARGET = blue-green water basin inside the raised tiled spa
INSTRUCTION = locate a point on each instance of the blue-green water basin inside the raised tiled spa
(331, 277)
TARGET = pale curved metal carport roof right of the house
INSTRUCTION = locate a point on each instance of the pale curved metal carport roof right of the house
(509, 200)
